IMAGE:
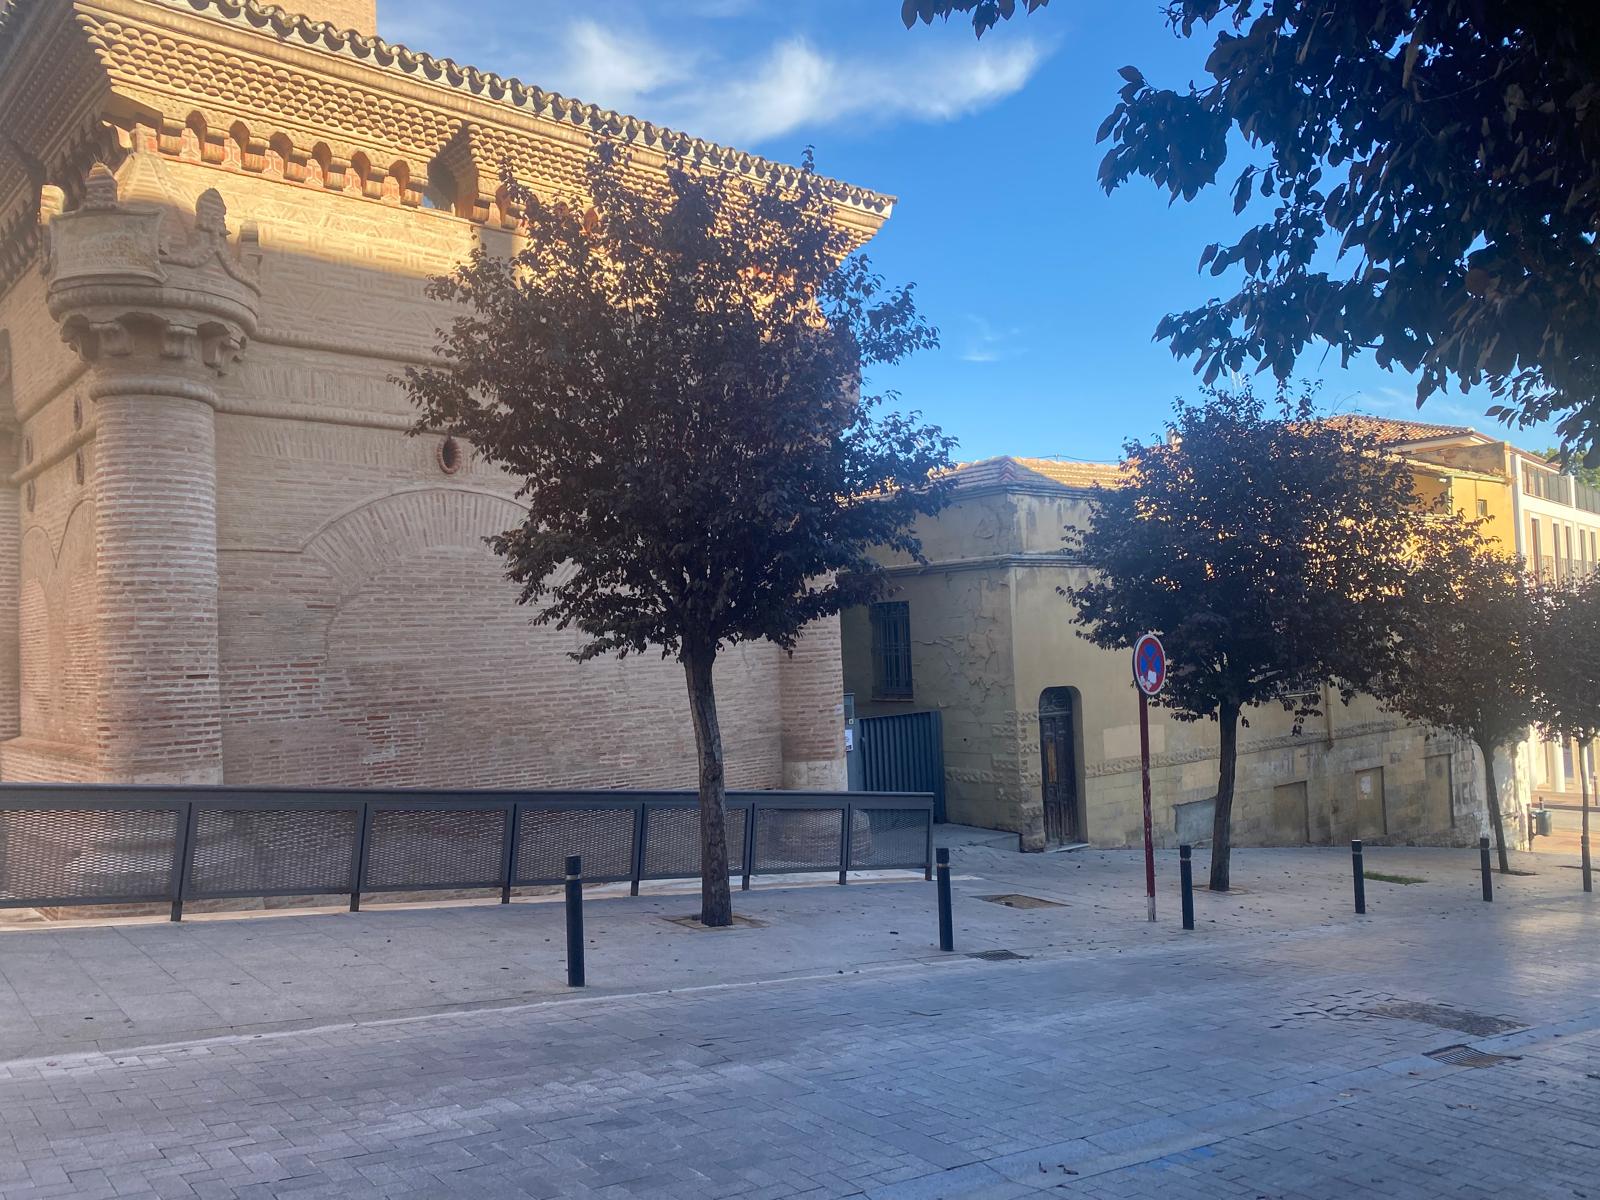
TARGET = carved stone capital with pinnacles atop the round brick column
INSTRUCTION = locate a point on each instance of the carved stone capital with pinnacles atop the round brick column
(134, 295)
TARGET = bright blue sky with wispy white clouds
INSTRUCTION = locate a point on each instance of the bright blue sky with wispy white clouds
(1046, 290)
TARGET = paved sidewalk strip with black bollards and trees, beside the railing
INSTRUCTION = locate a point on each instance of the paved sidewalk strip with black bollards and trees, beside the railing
(137, 982)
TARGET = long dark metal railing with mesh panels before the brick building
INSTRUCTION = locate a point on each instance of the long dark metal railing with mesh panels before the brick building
(65, 846)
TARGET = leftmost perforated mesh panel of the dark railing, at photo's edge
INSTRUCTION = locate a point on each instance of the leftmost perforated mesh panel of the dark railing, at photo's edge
(86, 854)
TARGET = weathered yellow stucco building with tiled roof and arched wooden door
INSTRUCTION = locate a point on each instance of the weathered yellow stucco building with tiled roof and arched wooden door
(1041, 729)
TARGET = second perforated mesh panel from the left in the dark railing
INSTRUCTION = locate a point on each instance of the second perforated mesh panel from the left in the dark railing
(257, 852)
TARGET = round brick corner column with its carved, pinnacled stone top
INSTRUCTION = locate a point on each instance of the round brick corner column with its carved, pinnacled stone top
(159, 311)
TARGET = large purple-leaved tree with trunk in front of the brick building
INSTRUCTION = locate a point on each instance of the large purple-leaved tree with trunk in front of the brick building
(676, 382)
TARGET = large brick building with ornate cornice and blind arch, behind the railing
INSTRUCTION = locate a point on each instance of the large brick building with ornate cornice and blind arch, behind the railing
(222, 556)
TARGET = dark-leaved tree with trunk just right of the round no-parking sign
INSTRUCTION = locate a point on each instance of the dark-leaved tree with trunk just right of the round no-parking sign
(1270, 553)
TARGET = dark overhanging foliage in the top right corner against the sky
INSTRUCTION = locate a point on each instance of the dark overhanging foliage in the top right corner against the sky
(1426, 186)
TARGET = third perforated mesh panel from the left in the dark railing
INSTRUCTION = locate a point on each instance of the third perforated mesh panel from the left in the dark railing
(436, 849)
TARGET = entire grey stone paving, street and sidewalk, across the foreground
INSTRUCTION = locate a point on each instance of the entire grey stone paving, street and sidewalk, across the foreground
(1286, 1049)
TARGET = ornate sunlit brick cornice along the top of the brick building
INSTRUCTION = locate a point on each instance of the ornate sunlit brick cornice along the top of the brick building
(250, 87)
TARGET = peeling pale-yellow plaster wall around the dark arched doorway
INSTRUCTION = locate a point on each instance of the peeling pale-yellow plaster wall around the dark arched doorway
(990, 641)
